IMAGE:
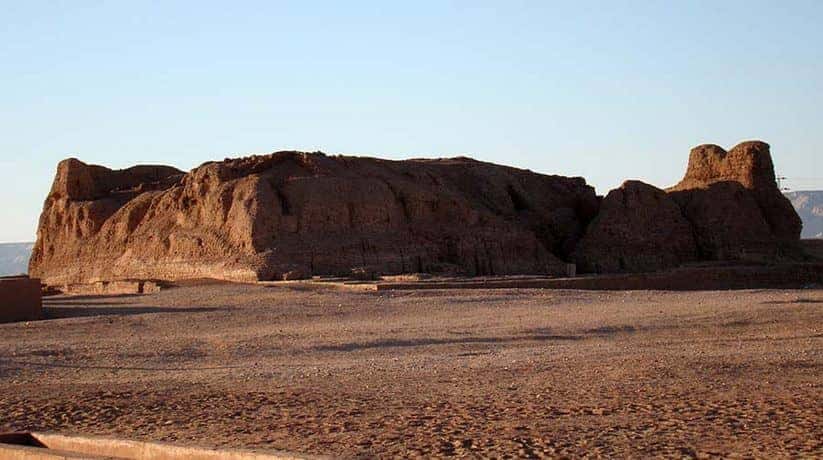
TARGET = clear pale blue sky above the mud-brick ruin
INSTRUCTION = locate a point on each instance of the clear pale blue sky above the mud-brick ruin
(606, 90)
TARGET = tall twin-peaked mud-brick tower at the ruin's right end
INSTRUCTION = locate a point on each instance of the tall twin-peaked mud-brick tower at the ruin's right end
(734, 205)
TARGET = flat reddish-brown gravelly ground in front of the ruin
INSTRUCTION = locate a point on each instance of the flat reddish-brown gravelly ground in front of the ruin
(501, 373)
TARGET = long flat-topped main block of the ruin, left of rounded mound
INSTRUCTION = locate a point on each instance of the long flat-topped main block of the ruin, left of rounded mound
(290, 213)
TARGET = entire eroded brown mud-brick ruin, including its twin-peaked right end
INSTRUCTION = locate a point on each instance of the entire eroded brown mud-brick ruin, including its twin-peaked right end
(293, 215)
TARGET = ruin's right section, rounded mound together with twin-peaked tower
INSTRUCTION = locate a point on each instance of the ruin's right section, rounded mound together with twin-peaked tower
(727, 207)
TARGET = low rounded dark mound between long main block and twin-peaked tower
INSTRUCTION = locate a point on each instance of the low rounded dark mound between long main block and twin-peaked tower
(639, 228)
